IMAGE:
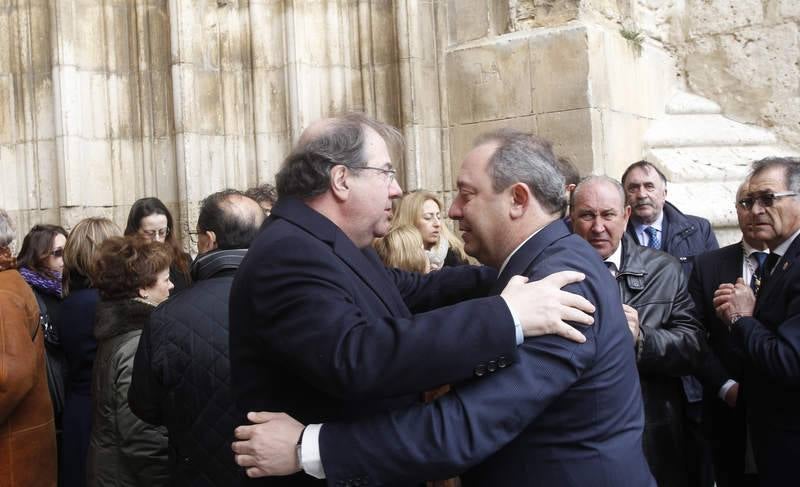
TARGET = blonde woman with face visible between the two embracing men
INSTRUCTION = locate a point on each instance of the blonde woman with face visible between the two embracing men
(424, 210)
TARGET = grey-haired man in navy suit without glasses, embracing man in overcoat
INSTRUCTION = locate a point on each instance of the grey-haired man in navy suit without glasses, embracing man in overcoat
(567, 414)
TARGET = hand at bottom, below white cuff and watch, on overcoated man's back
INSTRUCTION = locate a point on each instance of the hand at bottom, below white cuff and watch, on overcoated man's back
(269, 446)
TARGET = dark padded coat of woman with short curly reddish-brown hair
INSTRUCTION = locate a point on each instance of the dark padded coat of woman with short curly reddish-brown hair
(124, 451)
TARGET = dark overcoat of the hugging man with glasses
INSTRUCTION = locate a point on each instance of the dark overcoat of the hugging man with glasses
(321, 330)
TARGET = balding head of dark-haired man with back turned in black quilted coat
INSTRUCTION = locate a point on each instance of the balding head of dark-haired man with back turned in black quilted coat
(234, 226)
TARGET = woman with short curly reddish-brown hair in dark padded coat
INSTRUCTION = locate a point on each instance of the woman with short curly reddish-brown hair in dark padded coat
(132, 277)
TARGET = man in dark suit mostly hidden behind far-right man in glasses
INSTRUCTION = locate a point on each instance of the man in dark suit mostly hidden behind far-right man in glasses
(721, 368)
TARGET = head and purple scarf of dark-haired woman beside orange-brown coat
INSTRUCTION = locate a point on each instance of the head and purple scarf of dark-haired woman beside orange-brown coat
(41, 262)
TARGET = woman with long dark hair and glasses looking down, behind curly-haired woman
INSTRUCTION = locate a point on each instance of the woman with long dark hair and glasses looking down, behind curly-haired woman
(150, 219)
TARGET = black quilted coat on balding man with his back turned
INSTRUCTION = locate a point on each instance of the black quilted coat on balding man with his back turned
(182, 376)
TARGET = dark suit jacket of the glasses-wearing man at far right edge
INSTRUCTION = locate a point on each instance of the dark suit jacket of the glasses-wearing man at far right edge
(771, 340)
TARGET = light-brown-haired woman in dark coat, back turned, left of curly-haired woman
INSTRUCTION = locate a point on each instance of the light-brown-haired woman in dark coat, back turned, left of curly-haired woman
(78, 342)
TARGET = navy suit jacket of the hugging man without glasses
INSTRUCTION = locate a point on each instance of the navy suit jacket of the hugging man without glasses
(567, 414)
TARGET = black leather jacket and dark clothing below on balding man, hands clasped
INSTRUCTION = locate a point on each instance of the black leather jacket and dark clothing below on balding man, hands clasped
(668, 346)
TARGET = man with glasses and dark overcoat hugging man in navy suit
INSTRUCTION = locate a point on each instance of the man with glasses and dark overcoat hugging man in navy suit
(321, 329)
